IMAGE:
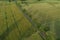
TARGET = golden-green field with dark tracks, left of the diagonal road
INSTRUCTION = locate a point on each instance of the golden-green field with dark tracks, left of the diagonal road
(13, 23)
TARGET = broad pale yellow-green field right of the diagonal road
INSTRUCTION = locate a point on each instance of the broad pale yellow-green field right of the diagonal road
(46, 14)
